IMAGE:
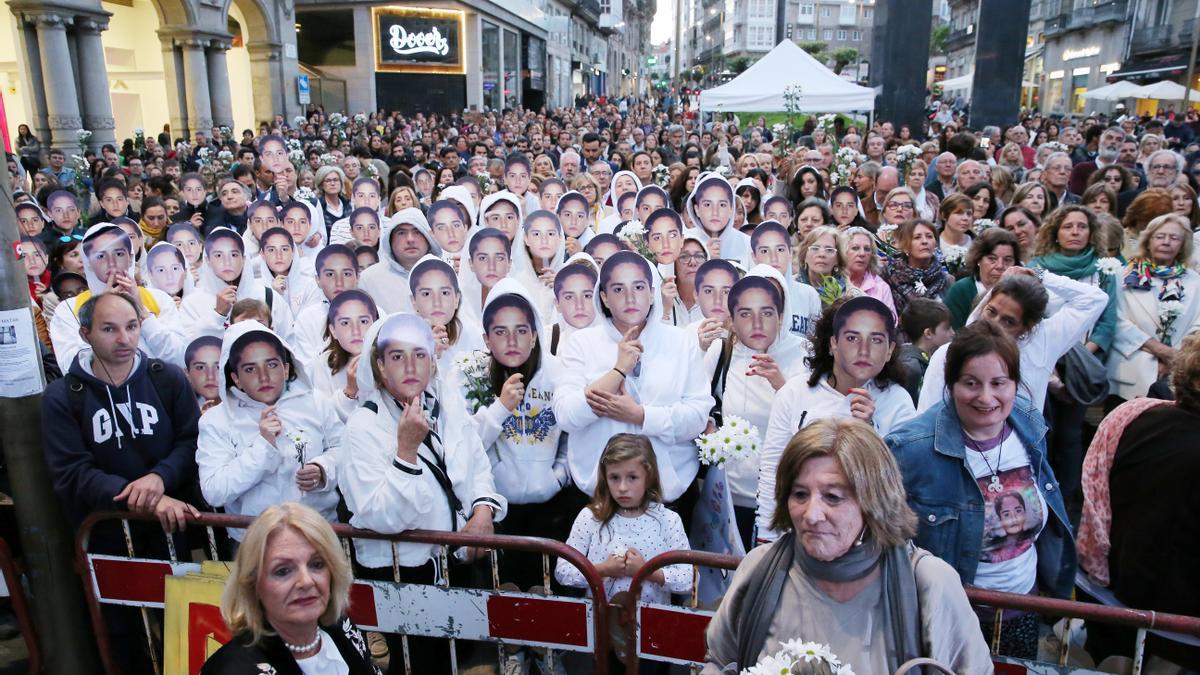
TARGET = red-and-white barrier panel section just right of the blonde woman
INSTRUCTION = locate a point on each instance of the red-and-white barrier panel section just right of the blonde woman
(472, 614)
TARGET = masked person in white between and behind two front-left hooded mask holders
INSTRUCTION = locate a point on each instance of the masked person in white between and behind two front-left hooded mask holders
(349, 319)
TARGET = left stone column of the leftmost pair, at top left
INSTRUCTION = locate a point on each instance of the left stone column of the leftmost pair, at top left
(62, 104)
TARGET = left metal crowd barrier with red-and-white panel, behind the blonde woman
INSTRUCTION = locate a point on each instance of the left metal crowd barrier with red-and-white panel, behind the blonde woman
(554, 624)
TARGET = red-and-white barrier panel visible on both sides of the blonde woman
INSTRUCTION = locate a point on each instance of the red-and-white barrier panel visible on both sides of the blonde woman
(466, 614)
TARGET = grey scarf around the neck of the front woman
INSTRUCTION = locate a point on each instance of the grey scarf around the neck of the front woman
(902, 610)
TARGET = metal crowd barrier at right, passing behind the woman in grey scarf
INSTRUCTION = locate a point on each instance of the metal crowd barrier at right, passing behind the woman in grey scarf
(676, 635)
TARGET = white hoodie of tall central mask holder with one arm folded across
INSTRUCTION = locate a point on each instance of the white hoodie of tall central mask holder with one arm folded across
(669, 383)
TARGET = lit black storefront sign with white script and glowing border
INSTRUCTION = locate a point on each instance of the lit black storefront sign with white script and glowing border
(418, 40)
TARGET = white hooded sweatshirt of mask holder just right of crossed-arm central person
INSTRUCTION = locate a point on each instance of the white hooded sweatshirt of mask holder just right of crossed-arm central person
(751, 397)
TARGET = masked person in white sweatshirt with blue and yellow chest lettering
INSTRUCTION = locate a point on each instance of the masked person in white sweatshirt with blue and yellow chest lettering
(512, 401)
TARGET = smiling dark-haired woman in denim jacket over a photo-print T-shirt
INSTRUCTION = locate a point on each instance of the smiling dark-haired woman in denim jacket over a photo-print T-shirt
(976, 473)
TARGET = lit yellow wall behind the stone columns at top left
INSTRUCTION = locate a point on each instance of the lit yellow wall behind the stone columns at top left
(135, 61)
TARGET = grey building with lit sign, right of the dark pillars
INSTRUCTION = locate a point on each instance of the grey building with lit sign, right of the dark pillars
(1085, 45)
